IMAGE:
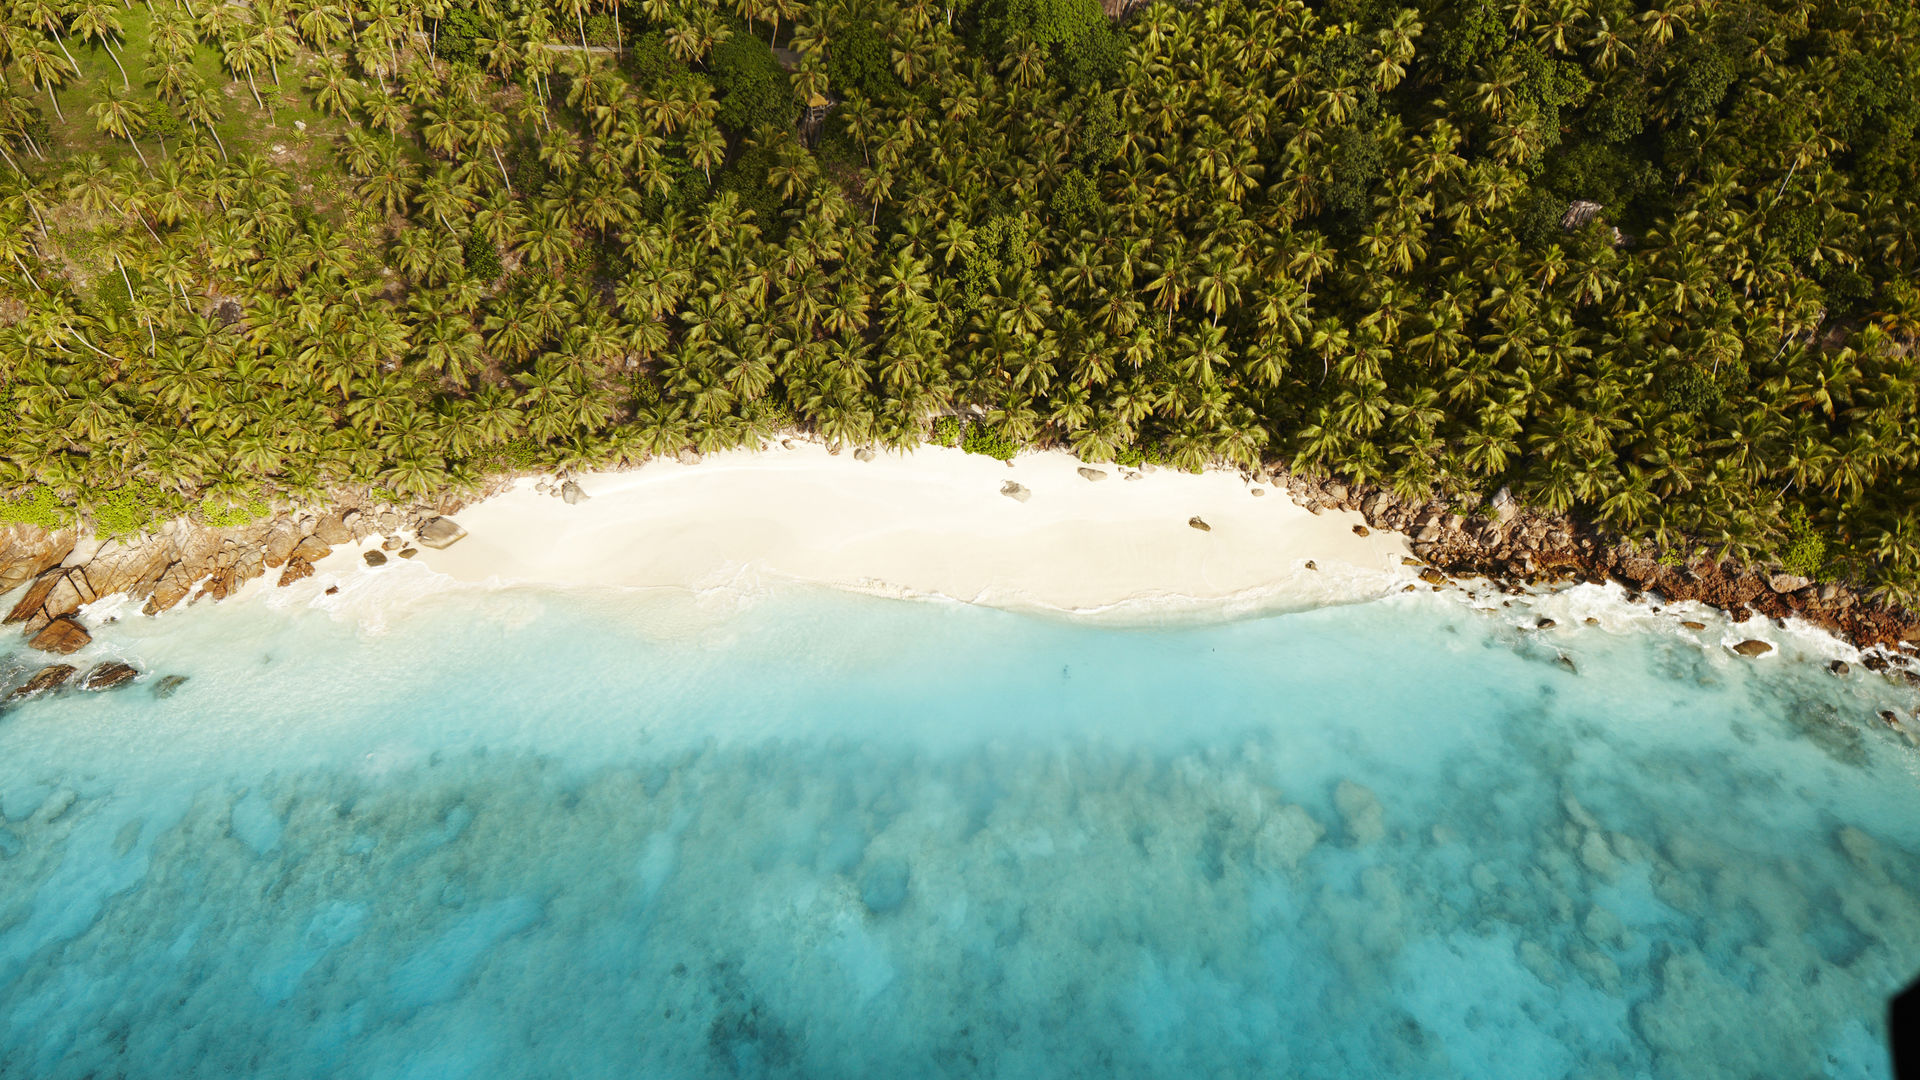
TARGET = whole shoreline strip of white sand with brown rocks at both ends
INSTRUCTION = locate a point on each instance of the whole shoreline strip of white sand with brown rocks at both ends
(1036, 535)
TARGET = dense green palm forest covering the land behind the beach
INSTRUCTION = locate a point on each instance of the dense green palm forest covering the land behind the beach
(1648, 262)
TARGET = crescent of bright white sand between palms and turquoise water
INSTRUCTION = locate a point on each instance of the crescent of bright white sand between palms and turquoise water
(930, 524)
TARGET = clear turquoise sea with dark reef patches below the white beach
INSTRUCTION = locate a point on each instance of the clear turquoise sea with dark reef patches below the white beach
(817, 835)
